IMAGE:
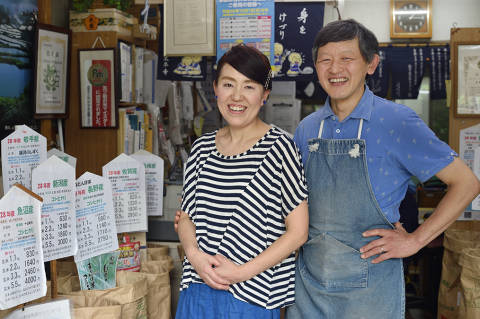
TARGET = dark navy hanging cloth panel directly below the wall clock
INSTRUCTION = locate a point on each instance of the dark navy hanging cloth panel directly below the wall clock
(408, 65)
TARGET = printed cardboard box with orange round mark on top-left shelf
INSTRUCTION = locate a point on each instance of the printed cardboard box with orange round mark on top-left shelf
(101, 20)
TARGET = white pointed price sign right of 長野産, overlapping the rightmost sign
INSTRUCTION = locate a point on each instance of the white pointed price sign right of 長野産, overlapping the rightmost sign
(127, 176)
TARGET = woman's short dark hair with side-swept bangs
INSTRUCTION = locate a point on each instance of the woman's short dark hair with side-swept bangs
(250, 62)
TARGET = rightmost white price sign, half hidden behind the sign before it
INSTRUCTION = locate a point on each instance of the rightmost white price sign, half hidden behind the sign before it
(154, 179)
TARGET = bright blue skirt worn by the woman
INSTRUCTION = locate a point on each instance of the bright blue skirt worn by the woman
(200, 301)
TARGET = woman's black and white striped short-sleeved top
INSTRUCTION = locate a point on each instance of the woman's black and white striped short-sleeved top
(239, 204)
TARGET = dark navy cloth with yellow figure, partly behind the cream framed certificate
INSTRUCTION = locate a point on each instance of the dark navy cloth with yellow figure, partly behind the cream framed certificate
(186, 68)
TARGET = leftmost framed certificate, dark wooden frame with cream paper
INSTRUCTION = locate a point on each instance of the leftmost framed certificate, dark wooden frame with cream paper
(52, 72)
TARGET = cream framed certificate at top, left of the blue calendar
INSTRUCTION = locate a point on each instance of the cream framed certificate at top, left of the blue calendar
(189, 27)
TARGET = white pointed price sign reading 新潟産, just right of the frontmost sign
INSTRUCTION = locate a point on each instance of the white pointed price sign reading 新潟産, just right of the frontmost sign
(54, 181)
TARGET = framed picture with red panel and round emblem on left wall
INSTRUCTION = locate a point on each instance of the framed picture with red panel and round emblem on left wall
(97, 88)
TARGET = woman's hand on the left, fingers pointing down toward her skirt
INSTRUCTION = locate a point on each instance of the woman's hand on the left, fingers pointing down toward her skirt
(203, 264)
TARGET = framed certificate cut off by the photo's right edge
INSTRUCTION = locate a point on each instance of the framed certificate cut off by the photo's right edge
(466, 79)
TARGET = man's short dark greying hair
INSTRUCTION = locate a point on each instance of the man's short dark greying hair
(345, 30)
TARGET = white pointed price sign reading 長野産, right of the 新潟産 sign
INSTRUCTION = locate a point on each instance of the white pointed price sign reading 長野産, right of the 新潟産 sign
(96, 231)
